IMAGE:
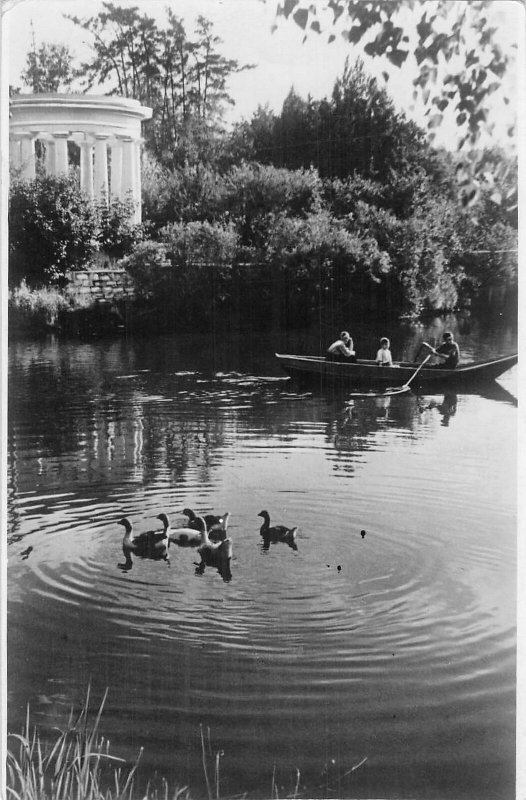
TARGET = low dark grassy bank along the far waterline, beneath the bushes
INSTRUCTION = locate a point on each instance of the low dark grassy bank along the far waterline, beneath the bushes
(36, 312)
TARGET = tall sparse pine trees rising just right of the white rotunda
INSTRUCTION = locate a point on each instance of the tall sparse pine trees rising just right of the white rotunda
(184, 80)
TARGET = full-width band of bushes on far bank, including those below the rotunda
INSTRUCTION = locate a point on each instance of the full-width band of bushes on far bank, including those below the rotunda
(258, 231)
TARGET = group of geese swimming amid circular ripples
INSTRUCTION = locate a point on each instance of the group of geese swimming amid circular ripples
(207, 533)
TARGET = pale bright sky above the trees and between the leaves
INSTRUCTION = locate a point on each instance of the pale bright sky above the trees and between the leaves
(282, 59)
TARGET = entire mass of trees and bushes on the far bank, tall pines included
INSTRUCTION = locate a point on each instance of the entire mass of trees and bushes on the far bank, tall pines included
(329, 207)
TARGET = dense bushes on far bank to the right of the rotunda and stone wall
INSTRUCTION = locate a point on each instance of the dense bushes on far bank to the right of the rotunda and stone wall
(307, 244)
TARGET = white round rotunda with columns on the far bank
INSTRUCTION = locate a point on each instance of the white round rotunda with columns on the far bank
(106, 130)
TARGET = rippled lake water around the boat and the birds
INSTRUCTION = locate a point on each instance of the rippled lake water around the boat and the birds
(380, 665)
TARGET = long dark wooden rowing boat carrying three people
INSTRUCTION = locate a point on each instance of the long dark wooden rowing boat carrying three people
(365, 372)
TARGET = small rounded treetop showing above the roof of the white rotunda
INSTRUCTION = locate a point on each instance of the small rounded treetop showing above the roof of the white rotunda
(48, 68)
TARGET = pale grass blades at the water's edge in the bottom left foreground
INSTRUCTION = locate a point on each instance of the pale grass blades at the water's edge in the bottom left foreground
(78, 765)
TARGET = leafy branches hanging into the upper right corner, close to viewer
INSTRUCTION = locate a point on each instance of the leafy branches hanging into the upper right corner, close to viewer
(459, 61)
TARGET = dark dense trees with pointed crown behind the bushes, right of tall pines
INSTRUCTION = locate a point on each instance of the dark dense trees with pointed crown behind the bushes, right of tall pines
(356, 131)
